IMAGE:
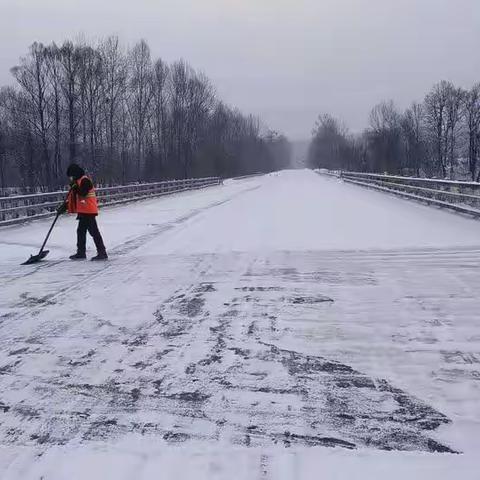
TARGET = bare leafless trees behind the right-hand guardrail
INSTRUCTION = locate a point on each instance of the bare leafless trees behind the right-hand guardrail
(439, 137)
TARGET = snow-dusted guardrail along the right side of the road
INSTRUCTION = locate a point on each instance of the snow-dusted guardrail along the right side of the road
(462, 197)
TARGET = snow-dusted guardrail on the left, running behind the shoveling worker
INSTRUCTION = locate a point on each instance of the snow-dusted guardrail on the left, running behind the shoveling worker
(21, 208)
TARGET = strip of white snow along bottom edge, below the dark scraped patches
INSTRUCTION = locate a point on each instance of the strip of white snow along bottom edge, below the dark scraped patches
(139, 459)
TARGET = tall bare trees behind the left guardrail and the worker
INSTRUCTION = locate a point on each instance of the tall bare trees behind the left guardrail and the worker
(125, 117)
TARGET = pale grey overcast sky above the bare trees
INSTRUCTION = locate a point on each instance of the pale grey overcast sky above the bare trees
(285, 60)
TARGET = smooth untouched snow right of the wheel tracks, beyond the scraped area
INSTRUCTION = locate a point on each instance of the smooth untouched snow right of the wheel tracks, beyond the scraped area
(298, 211)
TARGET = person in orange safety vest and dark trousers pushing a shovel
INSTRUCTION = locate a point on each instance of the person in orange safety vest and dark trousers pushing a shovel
(83, 201)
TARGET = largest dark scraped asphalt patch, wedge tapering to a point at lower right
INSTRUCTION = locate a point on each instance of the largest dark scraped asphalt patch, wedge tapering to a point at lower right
(351, 402)
